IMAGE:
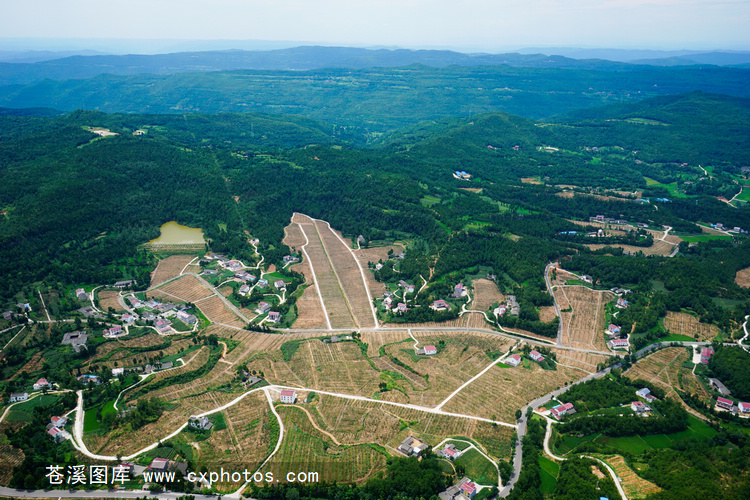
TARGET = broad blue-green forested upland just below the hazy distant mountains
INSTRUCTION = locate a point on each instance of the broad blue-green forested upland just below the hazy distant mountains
(375, 100)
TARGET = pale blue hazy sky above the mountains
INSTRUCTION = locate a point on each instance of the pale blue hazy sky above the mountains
(487, 25)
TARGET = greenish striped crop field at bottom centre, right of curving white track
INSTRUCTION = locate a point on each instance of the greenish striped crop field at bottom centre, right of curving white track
(305, 448)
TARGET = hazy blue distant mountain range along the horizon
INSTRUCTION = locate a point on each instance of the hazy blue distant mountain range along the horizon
(36, 66)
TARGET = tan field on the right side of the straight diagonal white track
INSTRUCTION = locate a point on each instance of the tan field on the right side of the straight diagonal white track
(512, 387)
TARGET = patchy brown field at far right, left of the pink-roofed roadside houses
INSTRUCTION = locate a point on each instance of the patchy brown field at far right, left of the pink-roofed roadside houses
(664, 368)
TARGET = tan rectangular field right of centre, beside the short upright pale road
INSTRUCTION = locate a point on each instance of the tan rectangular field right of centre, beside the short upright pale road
(584, 326)
